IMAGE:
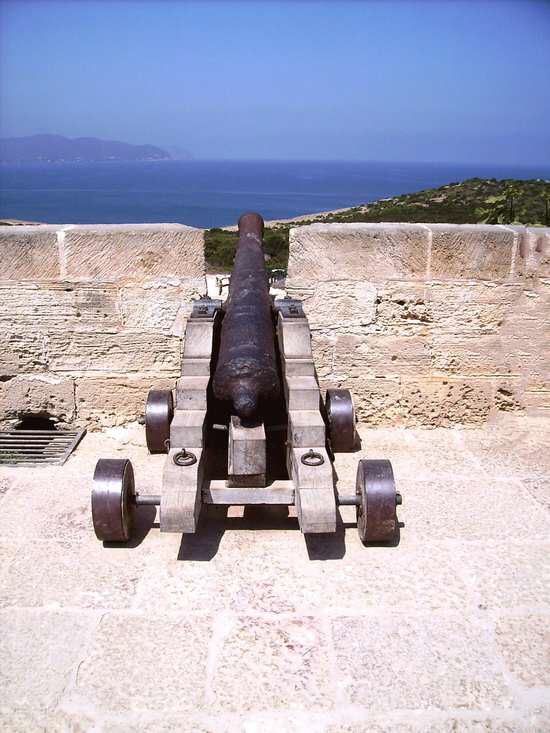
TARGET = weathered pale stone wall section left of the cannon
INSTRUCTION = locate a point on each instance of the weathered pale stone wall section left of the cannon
(91, 317)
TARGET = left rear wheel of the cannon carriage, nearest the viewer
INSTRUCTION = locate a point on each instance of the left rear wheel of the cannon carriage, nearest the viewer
(113, 499)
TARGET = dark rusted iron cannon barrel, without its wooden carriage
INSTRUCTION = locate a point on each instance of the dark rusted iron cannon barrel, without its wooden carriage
(246, 373)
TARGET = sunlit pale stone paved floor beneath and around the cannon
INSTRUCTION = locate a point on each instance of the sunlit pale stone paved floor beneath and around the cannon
(248, 627)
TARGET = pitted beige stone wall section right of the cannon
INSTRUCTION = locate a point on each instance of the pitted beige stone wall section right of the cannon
(428, 324)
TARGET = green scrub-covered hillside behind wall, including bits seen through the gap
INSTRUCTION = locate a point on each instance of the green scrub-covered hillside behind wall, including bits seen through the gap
(475, 201)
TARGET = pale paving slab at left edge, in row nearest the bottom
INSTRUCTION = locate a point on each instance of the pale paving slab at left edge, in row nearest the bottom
(39, 652)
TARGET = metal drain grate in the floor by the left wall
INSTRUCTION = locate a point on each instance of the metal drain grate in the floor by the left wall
(38, 447)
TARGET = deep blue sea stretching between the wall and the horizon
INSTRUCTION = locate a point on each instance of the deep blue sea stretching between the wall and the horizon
(214, 193)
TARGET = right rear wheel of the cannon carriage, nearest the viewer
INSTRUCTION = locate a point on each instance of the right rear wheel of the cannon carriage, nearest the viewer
(376, 514)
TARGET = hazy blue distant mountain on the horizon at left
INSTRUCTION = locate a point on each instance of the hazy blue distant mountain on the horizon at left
(56, 148)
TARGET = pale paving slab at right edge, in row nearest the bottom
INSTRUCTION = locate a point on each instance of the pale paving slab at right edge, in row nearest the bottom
(524, 643)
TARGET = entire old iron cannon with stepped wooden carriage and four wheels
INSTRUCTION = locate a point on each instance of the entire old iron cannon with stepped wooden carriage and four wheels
(247, 424)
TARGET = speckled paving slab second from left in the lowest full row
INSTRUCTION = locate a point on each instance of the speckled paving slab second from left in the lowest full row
(120, 676)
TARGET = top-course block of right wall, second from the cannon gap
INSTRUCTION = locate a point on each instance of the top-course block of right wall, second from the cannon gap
(471, 251)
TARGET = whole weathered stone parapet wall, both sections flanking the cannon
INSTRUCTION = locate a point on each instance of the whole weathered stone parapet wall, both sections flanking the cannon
(426, 324)
